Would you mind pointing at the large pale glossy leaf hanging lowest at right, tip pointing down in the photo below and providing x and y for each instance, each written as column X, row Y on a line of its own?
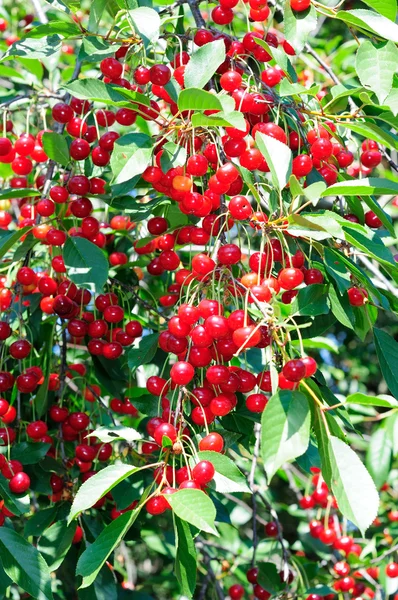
column 351, row 483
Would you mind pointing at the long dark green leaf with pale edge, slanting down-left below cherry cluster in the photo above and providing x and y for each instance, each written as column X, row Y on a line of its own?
column 95, row 555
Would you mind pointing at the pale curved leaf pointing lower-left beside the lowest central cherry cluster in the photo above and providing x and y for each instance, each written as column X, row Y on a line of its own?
column 97, row 486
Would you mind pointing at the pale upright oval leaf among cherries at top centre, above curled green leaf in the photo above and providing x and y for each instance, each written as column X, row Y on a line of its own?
column 203, row 64
